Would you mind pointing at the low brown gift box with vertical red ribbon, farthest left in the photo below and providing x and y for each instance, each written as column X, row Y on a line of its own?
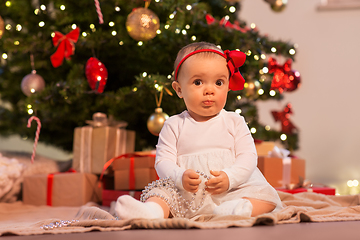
column 61, row 189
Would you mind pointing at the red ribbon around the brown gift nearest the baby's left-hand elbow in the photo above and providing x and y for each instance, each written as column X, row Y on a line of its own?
column 132, row 157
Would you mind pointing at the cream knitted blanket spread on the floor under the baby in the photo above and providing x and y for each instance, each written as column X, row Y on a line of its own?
column 19, row 219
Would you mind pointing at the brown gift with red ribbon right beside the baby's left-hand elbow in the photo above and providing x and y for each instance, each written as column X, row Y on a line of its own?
column 134, row 171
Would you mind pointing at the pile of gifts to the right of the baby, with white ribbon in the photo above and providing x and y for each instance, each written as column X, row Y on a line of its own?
column 283, row 172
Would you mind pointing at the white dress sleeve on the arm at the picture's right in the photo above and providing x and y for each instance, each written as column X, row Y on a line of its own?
column 245, row 155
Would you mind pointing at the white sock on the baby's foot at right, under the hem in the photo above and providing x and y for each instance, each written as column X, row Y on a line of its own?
column 240, row 207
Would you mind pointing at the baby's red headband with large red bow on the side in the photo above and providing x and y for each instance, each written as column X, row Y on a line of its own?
column 234, row 59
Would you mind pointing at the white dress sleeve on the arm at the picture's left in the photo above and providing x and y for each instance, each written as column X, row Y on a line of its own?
column 166, row 154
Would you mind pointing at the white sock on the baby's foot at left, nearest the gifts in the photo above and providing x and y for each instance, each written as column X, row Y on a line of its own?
column 128, row 207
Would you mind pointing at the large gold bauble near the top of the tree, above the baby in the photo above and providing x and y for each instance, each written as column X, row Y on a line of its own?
column 142, row 24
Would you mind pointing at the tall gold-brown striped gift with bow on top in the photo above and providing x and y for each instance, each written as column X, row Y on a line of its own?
column 97, row 143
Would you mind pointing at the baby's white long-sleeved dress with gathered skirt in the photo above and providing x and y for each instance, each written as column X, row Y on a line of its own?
column 223, row 143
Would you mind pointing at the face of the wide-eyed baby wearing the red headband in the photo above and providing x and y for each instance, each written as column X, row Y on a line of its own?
column 203, row 83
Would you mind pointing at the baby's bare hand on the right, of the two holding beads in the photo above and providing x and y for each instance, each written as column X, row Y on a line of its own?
column 219, row 183
